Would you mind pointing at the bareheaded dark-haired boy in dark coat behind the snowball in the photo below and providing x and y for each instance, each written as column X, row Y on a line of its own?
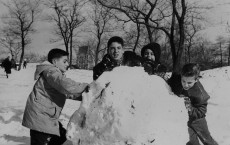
column 115, row 57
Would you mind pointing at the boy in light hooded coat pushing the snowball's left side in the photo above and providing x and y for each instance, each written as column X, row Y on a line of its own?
column 47, row 99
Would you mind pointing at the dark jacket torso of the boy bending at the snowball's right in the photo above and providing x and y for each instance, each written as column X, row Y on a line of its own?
column 199, row 100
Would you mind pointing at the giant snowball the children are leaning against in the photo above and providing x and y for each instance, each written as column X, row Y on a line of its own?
column 134, row 109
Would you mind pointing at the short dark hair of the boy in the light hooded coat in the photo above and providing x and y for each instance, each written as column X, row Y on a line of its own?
column 56, row 53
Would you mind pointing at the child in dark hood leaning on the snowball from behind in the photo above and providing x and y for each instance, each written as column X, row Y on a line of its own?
column 151, row 59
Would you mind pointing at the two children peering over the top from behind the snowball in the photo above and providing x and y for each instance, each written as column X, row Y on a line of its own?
column 116, row 56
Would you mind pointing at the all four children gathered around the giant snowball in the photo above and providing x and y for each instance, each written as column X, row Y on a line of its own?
column 52, row 88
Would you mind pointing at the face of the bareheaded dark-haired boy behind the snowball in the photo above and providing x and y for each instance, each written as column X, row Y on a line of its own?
column 115, row 50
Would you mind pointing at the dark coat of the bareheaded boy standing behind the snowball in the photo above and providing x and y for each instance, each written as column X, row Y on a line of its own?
column 107, row 63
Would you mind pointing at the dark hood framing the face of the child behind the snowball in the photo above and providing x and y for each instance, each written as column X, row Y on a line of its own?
column 155, row 47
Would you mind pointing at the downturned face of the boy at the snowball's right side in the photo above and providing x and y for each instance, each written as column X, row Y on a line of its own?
column 188, row 82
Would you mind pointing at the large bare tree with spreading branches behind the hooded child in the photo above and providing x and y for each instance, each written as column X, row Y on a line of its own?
column 168, row 16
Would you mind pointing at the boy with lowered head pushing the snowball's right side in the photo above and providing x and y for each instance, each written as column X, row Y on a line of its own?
column 196, row 101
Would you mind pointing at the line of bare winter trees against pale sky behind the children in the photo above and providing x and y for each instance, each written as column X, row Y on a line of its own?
column 83, row 27
